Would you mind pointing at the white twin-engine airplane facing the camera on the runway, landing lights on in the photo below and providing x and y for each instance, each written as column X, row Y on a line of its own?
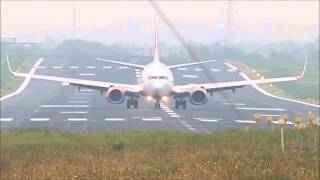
column 157, row 83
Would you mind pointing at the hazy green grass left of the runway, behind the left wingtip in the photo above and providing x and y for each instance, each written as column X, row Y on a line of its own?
column 9, row 83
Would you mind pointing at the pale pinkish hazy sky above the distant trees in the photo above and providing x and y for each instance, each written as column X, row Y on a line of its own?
column 275, row 20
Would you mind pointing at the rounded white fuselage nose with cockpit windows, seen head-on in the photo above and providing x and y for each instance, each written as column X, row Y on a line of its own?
column 157, row 80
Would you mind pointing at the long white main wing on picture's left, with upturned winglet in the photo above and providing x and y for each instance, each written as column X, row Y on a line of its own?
column 77, row 82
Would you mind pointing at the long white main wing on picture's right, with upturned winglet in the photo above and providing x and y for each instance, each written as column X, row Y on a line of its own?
column 211, row 87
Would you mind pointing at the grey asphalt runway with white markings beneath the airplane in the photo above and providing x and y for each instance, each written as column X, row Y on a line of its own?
column 51, row 105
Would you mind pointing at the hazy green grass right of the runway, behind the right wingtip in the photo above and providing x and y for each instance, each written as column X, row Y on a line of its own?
column 307, row 88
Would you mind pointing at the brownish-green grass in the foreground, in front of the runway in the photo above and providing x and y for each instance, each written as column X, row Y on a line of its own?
column 232, row 154
